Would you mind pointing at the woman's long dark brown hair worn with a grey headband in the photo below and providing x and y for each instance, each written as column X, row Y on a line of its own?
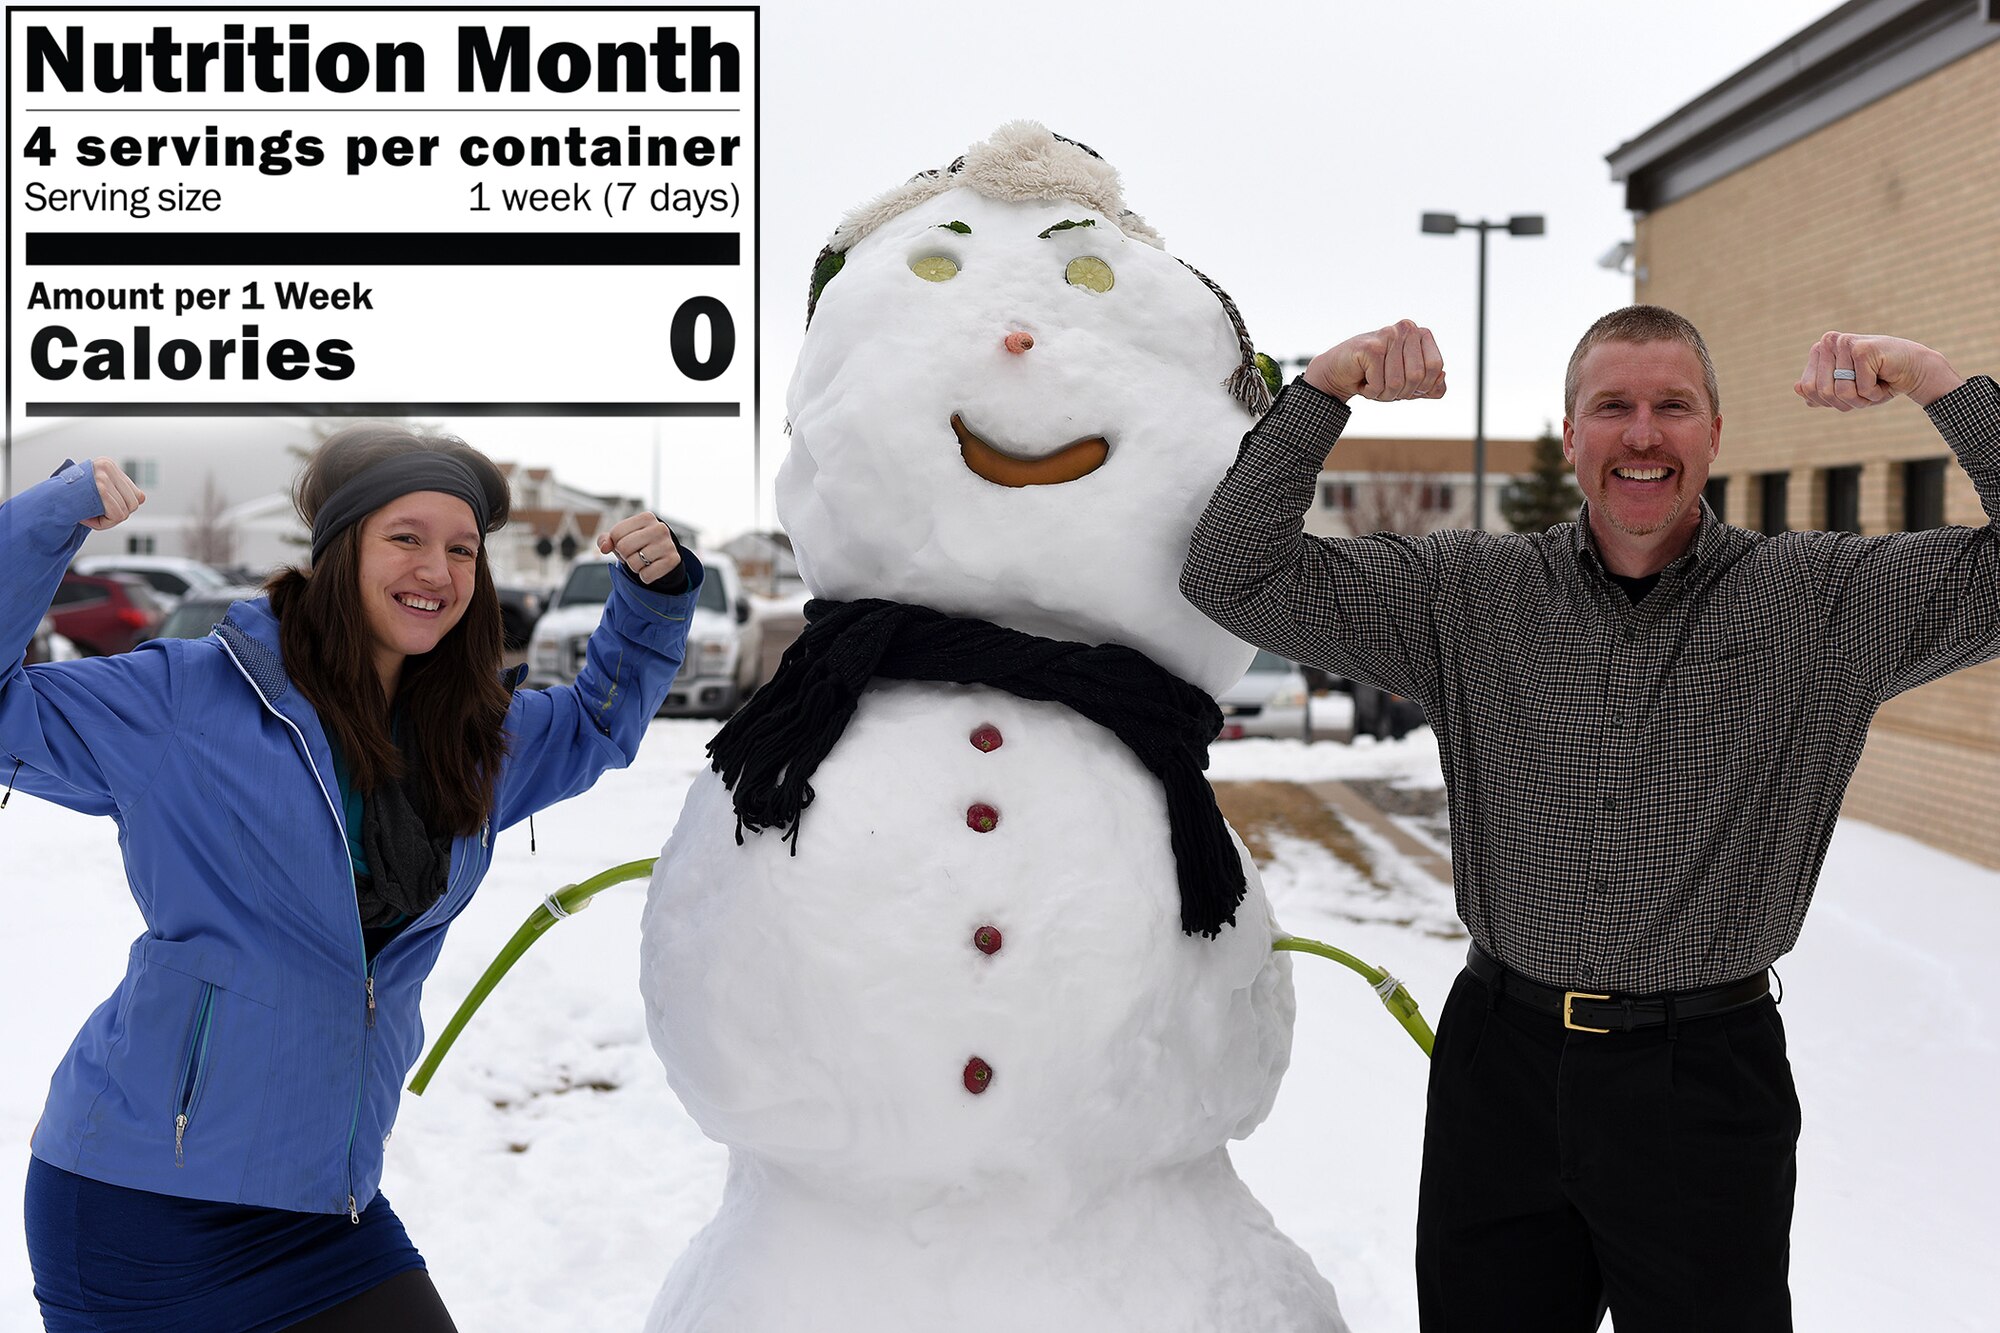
column 451, row 700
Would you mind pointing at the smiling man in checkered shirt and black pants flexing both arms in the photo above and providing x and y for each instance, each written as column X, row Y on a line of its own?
column 1647, row 722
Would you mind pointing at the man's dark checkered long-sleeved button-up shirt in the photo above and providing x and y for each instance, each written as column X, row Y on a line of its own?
column 1641, row 794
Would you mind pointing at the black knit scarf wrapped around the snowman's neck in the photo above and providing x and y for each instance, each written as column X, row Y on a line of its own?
column 769, row 752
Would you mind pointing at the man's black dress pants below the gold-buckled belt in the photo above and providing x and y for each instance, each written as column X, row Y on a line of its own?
column 1567, row 1170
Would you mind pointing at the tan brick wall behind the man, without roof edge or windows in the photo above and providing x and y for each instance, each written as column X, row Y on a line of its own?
column 1887, row 221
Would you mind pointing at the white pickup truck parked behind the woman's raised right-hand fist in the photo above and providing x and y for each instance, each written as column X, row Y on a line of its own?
column 725, row 641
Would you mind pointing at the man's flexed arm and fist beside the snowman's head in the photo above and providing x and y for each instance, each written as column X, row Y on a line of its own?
column 1355, row 605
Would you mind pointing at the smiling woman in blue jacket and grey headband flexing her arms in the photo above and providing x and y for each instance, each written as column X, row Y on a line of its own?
column 307, row 800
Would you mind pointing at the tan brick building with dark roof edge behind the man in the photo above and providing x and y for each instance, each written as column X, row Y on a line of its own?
column 1847, row 179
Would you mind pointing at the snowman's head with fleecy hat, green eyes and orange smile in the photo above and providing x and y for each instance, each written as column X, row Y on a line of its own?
column 1013, row 405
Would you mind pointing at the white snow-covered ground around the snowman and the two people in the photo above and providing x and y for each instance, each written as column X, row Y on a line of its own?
column 551, row 1178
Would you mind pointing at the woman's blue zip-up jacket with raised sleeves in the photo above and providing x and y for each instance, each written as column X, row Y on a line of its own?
column 251, row 1054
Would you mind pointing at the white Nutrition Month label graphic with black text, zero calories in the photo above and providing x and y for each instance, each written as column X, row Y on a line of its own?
column 383, row 213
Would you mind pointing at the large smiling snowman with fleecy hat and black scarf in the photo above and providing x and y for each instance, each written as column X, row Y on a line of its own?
column 939, row 952
